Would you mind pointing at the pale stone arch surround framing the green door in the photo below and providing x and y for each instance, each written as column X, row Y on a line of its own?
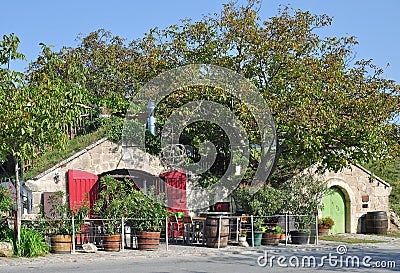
column 349, row 203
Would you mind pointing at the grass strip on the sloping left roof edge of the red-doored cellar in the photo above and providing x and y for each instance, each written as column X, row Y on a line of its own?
column 51, row 158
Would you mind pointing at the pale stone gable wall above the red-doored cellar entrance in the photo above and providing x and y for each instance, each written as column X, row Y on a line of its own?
column 98, row 158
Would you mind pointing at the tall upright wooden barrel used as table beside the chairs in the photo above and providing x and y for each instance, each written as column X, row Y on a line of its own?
column 212, row 231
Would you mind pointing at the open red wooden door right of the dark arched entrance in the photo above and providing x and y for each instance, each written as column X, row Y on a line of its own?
column 175, row 190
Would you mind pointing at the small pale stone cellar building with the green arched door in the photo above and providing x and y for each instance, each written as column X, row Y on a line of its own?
column 354, row 192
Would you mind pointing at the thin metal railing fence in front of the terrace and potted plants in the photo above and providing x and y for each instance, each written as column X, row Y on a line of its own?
column 92, row 230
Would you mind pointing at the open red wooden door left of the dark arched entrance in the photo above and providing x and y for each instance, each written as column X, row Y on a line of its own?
column 82, row 186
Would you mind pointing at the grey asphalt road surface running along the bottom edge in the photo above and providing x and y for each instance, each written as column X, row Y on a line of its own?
column 250, row 261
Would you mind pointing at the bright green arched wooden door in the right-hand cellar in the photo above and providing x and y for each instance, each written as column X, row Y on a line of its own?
column 334, row 206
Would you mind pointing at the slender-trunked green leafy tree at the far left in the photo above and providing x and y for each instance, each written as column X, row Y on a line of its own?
column 35, row 112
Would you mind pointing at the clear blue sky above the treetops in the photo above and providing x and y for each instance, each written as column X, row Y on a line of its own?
column 374, row 23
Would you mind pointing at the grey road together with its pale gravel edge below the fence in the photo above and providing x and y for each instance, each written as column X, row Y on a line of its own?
column 326, row 257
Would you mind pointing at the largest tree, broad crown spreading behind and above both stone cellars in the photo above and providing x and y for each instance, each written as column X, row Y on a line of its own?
column 328, row 108
